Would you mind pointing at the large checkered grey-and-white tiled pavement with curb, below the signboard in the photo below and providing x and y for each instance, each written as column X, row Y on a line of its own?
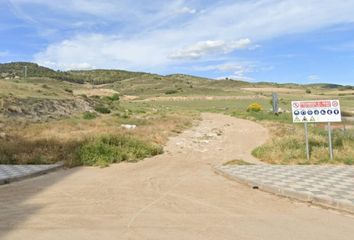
column 331, row 186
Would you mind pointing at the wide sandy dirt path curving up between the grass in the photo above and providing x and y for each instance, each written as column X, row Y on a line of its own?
column 172, row 196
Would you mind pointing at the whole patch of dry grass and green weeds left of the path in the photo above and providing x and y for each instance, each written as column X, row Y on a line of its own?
column 70, row 140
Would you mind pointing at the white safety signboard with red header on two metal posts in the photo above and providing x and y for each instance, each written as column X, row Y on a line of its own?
column 317, row 111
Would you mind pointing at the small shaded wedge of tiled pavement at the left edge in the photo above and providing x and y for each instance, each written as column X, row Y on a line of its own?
column 10, row 173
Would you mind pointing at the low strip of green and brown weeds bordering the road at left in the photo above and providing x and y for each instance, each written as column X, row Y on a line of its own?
column 95, row 151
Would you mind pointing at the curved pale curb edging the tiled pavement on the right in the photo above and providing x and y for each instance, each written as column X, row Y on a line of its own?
column 320, row 200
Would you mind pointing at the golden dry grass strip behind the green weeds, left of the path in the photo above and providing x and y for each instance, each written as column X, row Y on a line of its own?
column 153, row 127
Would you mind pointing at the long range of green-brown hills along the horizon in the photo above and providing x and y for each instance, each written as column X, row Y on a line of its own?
column 146, row 80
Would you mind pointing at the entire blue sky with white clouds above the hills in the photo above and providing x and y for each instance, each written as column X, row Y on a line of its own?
column 299, row 41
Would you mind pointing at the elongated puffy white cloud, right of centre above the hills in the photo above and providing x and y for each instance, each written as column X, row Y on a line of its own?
column 209, row 47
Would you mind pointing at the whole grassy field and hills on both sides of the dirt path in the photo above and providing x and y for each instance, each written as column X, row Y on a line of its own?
column 78, row 116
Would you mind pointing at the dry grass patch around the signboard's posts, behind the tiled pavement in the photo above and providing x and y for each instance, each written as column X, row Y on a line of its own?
column 287, row 145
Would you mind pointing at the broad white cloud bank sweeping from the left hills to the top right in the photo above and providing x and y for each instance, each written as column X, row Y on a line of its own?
column 152, row 34
